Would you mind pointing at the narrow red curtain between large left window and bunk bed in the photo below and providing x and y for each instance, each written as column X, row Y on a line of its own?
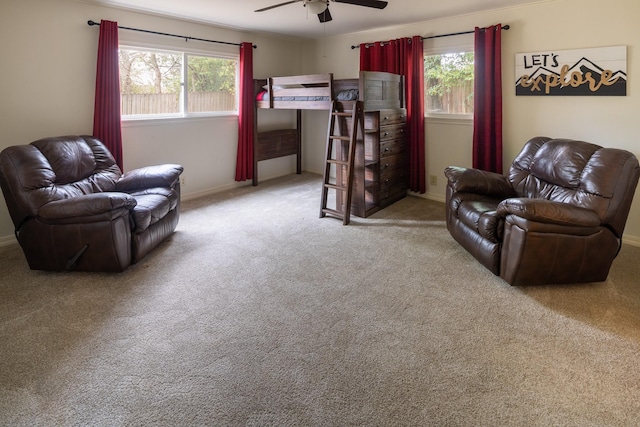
column 244, row 159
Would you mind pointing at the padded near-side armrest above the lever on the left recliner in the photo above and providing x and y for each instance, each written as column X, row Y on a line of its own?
column 88, row 205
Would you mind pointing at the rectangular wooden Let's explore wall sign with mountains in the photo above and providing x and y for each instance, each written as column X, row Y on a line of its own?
column 578, row 72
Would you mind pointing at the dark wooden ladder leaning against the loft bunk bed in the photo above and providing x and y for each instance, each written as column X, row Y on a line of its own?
column 342, row 137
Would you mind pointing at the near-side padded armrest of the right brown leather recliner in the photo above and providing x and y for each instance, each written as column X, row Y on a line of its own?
column 550, row 212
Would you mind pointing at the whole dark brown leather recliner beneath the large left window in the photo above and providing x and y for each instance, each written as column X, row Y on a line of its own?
column 73, row 208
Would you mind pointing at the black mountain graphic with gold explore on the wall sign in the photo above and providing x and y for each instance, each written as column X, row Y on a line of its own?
column 590, row 75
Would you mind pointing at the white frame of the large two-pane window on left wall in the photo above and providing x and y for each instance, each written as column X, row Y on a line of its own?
column 183, row 102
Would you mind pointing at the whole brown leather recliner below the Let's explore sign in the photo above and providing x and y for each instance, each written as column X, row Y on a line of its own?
column 556, row 217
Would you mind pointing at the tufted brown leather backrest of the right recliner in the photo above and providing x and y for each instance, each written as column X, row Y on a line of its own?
column 578, row 173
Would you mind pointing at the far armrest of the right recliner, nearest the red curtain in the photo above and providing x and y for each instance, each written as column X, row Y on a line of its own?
column 477, row 181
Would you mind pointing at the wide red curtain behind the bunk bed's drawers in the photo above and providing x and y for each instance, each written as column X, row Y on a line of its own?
column 406, row 57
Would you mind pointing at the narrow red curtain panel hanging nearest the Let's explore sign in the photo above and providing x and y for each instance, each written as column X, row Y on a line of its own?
column 487, row 92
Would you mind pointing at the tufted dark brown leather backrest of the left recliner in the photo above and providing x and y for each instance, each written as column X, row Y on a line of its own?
column 52, row 169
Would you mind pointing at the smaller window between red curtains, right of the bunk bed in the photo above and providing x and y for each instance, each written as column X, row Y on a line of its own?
column 448, row 84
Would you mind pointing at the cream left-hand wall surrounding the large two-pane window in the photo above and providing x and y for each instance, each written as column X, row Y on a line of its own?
column 48, row 78
